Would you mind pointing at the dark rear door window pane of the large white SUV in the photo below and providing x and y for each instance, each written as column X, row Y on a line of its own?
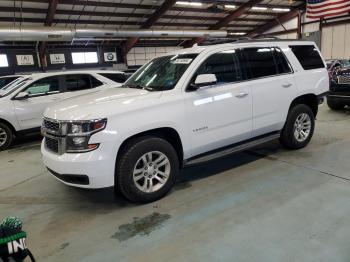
column 261, row 61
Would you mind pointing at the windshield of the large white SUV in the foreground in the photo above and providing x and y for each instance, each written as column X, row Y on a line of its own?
column 161, row 73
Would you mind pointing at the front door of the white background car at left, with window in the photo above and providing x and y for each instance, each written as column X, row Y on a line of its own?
column 41, row 93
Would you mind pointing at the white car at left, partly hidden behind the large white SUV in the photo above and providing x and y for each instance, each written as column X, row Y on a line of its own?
column 22, row 103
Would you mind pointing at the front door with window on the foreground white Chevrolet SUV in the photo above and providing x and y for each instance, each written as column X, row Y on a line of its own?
column 221, row 114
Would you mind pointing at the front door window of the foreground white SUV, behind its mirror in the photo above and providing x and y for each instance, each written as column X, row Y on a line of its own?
column 224, row 65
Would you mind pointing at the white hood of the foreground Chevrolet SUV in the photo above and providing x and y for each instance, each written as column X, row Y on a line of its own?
column 100, row 104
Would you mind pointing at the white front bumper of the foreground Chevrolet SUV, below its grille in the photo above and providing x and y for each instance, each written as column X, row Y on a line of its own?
column 93, row 169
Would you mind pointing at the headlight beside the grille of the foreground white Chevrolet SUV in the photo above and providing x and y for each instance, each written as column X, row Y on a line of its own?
column 79, row 133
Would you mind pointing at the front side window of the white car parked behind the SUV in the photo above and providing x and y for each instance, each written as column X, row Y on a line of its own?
column 43, row 86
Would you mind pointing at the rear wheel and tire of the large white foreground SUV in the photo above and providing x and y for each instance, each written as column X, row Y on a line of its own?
column 299, row 127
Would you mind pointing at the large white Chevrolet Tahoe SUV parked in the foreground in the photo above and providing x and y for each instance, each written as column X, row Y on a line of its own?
column 184, row 108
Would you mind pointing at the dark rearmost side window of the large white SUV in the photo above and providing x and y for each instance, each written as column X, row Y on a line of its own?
column 308, row 56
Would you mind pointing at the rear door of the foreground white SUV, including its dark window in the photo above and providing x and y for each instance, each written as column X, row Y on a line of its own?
column 273, row 87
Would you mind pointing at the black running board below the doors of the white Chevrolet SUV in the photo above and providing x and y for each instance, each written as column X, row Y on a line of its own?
column 230, row 150
